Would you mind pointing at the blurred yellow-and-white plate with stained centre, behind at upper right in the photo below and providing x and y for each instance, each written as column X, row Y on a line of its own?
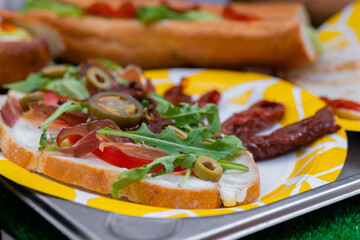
column 337, row 73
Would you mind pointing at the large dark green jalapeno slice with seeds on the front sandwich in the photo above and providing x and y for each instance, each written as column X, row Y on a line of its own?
column 121, row 108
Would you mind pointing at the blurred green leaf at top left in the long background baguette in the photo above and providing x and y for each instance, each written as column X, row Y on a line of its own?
column 60, row 8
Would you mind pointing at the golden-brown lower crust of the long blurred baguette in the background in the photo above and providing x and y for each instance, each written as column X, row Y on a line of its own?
column 228, row 44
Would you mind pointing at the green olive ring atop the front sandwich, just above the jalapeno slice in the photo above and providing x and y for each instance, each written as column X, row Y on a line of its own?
column 98, row 79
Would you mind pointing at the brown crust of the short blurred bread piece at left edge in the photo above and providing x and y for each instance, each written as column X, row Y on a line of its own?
column 19, row 58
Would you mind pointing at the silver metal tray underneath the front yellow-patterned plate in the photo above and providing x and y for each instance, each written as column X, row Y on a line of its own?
column 81, row 222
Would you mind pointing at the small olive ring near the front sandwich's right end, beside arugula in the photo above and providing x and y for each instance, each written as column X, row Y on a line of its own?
column 207, row 169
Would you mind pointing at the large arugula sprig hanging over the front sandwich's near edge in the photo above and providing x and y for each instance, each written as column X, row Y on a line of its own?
column 182, row 152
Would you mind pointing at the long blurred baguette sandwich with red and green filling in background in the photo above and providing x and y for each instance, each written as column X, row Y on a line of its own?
column 158, row 34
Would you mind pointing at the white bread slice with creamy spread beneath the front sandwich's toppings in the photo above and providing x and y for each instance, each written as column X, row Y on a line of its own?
column 20, row 143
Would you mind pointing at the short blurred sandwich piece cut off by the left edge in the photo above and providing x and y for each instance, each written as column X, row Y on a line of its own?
column 24, row 46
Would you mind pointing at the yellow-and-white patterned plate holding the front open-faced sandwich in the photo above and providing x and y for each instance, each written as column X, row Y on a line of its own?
column 308, row 167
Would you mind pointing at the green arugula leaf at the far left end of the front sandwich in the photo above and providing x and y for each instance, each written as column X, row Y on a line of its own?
column 33, row 82
